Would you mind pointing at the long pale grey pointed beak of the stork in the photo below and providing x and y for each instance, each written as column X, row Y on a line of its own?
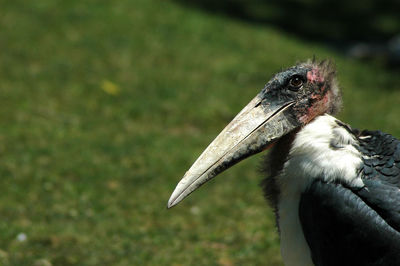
column 259, row 124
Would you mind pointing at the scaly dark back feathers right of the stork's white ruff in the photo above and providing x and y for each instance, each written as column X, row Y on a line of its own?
column 381, row 175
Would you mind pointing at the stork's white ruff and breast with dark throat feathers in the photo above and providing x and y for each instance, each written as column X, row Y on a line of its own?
column 323, row 149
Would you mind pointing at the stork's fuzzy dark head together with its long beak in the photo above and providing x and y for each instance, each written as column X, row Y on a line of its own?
column 291, row 99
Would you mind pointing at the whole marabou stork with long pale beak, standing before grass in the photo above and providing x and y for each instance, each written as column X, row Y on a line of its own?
column 335, row 190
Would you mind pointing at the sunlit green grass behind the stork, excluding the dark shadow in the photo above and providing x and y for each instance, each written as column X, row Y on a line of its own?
column 105, row 104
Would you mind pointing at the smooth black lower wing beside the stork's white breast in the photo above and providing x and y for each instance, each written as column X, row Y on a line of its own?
column 341, row 229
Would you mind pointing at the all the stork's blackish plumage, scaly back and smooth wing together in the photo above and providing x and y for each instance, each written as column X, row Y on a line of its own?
column 352, row 226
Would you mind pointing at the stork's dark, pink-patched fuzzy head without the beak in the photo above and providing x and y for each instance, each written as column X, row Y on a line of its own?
column 310, row 87
